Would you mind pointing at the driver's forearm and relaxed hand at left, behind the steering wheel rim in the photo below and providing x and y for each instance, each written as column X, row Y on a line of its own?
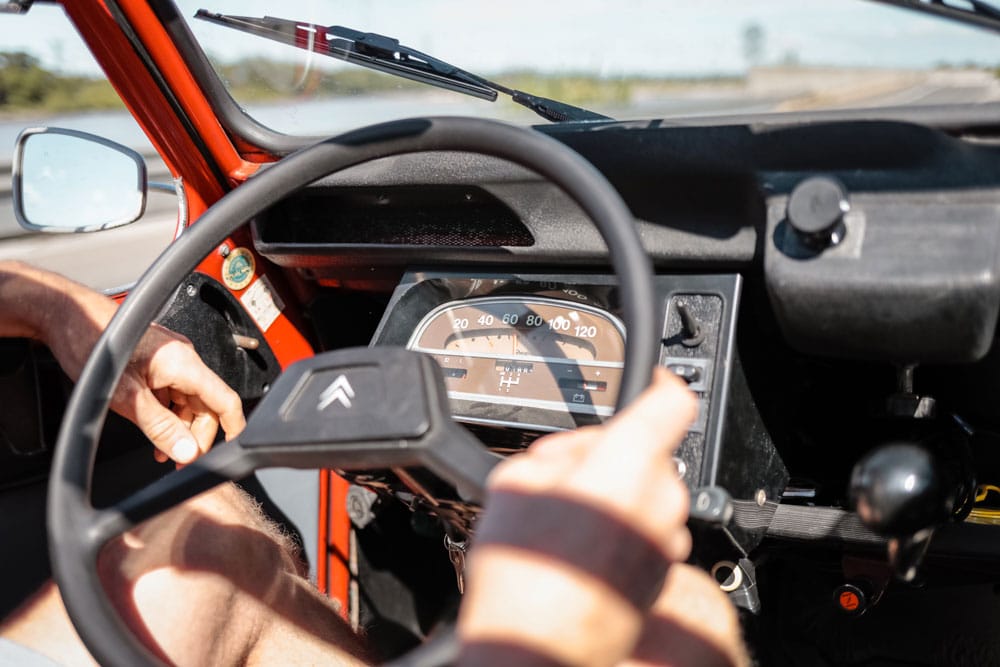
column 167, row 391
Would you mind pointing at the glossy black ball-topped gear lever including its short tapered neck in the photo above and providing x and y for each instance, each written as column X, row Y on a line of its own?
column 902, row 491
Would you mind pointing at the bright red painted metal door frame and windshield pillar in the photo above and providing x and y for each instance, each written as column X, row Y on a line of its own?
column 186, row 160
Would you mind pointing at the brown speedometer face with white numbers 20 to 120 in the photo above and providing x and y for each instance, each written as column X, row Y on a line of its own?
column 505, row 358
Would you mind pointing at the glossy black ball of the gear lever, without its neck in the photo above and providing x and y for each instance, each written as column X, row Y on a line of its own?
column 899, row 489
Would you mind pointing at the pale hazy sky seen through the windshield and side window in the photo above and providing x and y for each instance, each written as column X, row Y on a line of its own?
column 610, row 38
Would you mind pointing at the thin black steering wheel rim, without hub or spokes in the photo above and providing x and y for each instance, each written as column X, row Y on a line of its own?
column 75, row 539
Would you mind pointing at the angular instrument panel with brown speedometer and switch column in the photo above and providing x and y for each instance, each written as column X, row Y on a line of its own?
column 527, row 354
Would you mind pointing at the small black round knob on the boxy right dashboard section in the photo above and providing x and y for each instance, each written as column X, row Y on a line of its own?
column 816, row 211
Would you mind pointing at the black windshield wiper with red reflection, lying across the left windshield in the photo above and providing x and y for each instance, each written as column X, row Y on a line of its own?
column 386, row 54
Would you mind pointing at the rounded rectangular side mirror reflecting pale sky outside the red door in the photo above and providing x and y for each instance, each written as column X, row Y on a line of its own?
column 70, row 181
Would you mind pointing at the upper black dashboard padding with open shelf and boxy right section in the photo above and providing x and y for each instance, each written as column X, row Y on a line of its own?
column 922, row 222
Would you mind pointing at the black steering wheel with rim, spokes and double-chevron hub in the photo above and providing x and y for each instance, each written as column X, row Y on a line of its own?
column 418, row 432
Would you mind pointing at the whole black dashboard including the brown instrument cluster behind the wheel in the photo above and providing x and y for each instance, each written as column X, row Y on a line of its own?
column 806, row 346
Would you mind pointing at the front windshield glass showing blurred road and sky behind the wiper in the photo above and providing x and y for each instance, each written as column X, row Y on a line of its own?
column 633, row 60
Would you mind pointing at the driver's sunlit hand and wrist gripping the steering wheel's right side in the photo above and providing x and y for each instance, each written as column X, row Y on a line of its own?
column 575, row 542
